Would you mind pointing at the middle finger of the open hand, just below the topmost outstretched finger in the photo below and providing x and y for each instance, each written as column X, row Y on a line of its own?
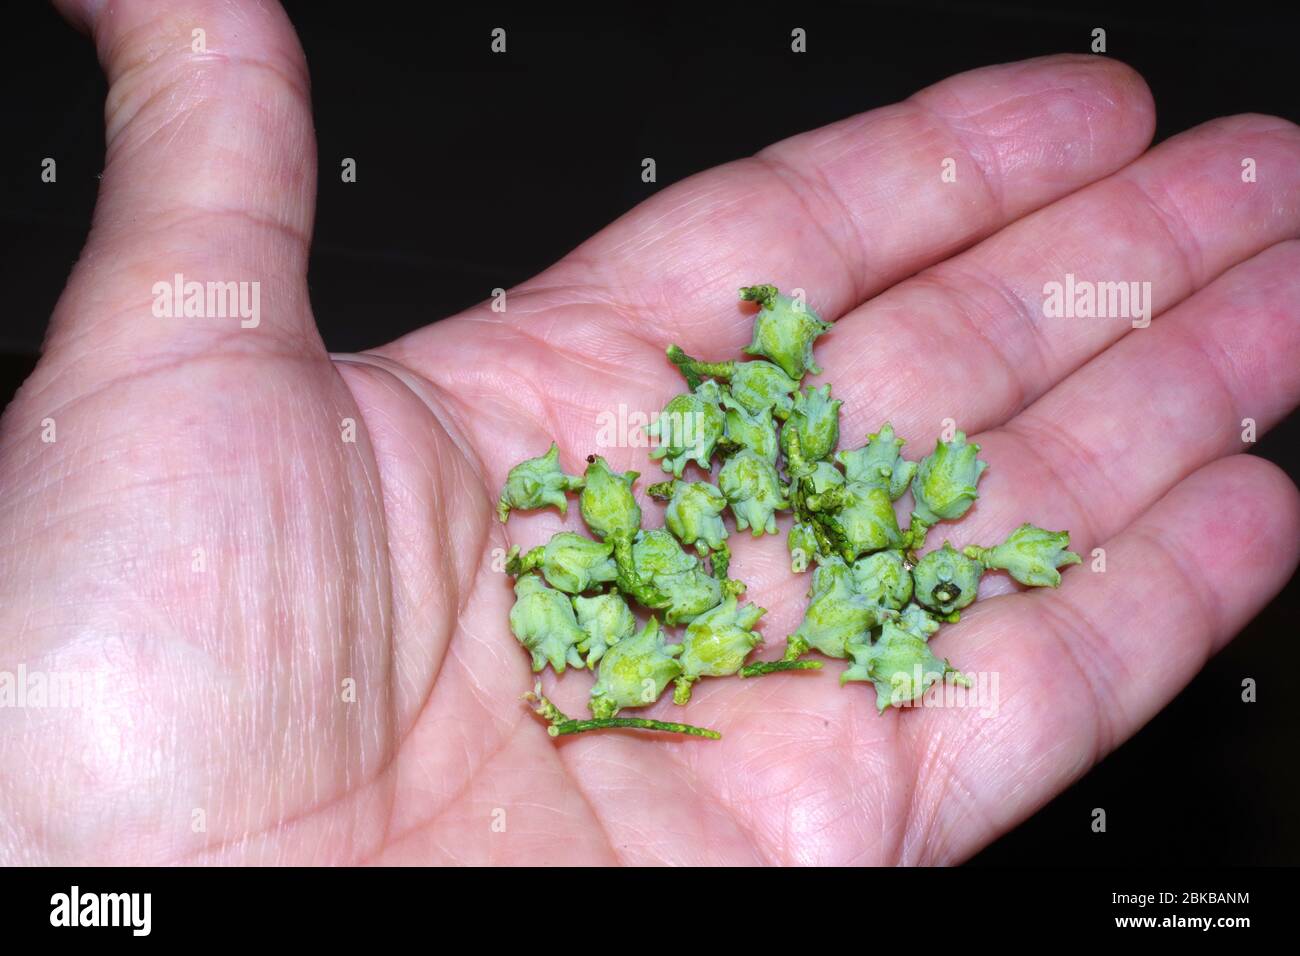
column 968, row 340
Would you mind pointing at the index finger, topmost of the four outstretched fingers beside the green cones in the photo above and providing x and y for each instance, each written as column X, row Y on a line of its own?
column 853, row 207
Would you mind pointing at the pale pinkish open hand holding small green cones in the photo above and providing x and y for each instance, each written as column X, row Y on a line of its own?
column 304, row 641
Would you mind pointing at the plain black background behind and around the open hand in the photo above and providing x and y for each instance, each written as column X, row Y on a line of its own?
column 476, row 171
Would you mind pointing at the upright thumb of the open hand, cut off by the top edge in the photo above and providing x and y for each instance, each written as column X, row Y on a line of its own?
column 210, row 174
